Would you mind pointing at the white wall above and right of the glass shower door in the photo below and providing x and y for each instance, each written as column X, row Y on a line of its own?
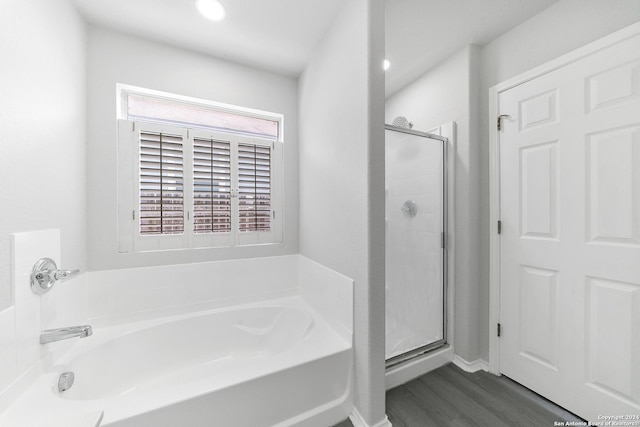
column 444, row 94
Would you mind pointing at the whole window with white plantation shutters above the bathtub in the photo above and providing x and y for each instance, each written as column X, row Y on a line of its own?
column 206, row 182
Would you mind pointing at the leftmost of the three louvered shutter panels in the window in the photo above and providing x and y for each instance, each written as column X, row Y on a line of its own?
column 161, row 175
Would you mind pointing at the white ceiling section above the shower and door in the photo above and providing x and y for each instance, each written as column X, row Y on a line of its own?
column 422, row 33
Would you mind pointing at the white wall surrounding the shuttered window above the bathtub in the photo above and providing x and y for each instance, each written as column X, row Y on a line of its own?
column 116, row 58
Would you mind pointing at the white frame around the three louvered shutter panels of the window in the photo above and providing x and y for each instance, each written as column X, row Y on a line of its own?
column 129, row 237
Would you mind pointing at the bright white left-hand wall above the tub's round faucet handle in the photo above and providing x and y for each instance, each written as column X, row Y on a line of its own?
column 42, row 127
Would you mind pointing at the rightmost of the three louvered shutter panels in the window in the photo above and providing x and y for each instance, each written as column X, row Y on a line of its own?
column 254, row 188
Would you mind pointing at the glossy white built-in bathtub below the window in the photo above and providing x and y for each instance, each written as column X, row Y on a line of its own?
column 271, row 363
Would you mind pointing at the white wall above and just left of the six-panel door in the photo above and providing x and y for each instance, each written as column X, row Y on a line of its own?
column 563, row 27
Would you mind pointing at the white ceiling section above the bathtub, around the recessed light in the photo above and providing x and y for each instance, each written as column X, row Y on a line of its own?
column 276, row 35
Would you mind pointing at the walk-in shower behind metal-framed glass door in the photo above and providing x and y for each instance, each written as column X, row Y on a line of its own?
column 416, row 223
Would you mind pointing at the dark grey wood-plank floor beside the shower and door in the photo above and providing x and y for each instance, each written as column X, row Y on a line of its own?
column 451, row 397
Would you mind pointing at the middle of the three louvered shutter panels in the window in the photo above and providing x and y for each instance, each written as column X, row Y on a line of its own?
column 211, row 186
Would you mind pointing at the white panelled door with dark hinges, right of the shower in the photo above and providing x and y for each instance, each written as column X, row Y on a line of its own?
column 570, row 242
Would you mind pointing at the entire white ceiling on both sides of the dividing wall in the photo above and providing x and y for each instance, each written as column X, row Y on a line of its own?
column 281, row 35
